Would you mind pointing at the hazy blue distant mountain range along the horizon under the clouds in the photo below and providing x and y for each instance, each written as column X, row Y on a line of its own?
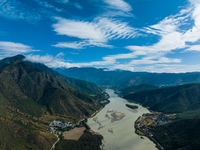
column 121, row 79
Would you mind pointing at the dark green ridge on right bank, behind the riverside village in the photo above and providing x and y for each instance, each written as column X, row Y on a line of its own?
column 175, row 99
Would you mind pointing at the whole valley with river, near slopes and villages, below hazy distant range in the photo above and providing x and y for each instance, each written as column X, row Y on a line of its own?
column 39, row 108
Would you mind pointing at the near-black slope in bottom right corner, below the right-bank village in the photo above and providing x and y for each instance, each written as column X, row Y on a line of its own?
column 179, row 135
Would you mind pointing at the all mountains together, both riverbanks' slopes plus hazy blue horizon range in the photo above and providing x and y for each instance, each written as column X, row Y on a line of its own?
column 32, row 95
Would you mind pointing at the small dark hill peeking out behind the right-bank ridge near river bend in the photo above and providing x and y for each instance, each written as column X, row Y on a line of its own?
column 137, row 88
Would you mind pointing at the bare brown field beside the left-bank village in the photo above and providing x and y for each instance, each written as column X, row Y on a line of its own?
column 74, row 134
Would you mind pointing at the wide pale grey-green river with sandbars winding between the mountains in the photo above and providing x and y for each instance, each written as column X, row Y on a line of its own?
column 115, row 122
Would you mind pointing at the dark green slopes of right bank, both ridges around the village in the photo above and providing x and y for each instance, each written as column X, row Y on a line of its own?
column 183, row 132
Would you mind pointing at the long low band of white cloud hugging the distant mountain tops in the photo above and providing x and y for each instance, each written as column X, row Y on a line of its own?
column 57, row 62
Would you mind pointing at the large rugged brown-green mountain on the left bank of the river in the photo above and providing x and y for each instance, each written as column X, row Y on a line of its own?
column 31, row 97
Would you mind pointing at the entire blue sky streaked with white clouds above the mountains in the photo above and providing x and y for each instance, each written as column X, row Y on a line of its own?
column 136, row 35
